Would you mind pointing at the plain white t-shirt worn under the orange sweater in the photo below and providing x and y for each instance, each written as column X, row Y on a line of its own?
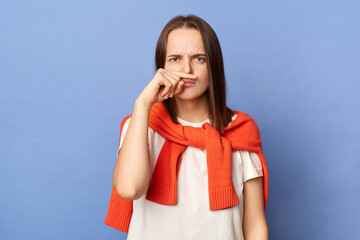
column 191, row 218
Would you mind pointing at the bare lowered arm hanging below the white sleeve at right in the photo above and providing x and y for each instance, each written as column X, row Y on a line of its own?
column 254, row 222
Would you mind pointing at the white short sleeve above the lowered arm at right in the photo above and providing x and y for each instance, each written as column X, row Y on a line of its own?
column 252, row 166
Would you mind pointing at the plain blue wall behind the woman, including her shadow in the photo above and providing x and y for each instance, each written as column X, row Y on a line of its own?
column 71, row 70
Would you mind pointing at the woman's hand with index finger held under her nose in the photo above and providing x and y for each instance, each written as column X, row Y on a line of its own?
column 164, row 84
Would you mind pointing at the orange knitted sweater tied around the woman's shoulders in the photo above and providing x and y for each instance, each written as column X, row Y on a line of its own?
column 241, row 134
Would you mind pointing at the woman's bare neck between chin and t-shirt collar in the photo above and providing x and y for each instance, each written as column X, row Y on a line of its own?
column 195, row 110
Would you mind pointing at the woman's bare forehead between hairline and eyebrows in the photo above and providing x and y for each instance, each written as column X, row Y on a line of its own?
column 184, row 40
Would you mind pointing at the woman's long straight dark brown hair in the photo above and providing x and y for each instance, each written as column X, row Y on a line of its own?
column 220, row 114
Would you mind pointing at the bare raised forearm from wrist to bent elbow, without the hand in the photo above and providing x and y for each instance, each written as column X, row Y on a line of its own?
column 132, row 170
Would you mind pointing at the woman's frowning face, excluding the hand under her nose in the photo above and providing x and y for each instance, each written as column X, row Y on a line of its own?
column 185, row 53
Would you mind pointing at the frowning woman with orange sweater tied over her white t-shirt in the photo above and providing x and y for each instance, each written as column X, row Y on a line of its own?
column 188, row 166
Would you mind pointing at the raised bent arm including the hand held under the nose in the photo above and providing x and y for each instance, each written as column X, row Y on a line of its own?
column 132, row 171
